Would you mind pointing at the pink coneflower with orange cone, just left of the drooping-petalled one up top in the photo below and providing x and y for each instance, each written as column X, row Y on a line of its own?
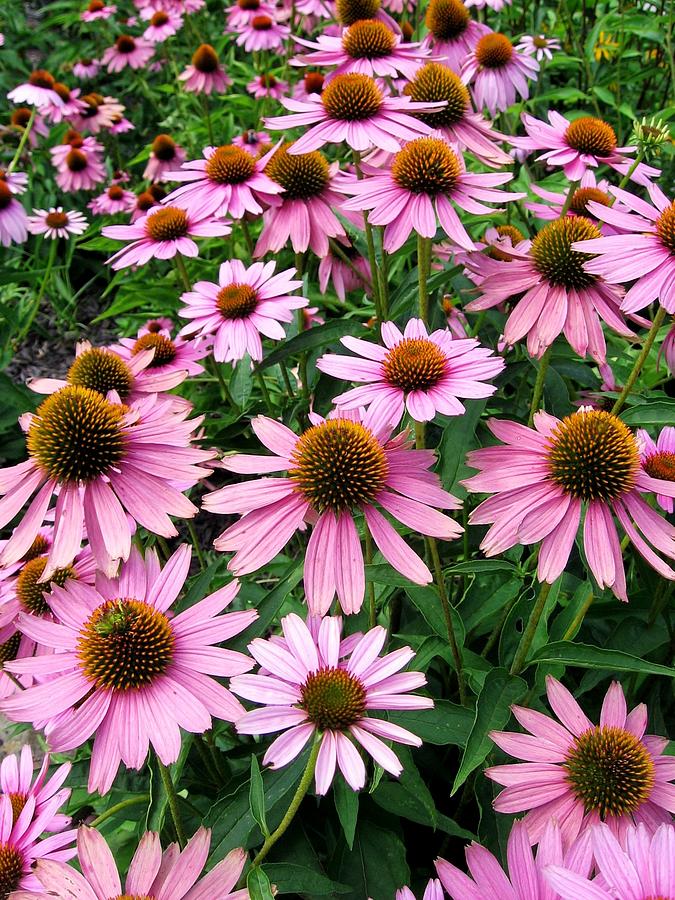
column 228, row 181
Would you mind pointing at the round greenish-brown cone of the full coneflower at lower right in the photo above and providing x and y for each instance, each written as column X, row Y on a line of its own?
column 610, row 771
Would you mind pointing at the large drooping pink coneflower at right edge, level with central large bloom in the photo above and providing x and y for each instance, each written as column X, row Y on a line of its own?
column 550, row 478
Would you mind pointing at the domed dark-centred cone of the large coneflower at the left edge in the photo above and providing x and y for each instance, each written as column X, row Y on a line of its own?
column 76, row 435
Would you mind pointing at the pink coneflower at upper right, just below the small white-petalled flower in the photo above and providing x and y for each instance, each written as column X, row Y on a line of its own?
column 585, row 143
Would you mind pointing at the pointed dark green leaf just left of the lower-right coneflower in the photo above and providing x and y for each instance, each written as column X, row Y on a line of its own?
column 493, row 710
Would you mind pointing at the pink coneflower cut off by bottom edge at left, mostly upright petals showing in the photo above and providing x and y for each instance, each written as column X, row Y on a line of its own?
column 172, row 875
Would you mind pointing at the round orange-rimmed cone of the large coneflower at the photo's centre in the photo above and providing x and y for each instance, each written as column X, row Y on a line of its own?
column 338, row 465
